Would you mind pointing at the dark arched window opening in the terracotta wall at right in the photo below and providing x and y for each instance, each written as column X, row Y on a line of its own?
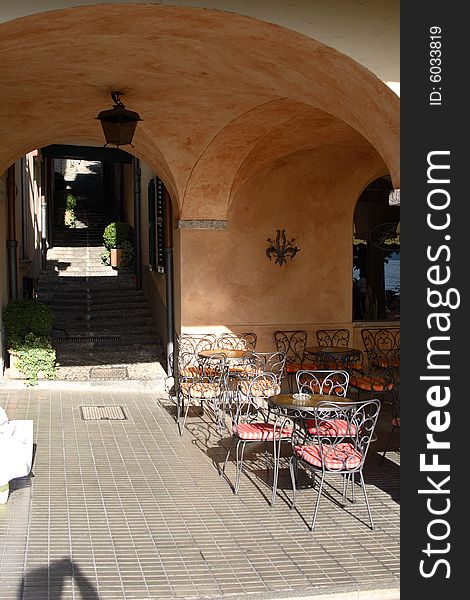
column 376, row 255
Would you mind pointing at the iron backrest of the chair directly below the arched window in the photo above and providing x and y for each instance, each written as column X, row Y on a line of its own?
column 382, row 346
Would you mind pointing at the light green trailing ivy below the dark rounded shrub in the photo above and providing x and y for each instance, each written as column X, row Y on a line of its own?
column 34, row 354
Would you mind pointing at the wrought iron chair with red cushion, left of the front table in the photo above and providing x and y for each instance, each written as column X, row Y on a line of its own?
column 250, row 422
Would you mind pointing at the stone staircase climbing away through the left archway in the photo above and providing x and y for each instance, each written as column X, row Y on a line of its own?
column 103, row 329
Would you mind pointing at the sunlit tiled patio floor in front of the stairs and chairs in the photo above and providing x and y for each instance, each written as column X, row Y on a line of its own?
column 131, row 510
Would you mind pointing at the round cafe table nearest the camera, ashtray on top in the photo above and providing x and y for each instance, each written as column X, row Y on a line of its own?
column 294, row 408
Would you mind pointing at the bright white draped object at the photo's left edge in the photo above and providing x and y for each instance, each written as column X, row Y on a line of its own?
column 16, row 448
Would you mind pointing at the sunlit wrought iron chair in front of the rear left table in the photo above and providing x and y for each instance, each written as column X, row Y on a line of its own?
column 202, row 381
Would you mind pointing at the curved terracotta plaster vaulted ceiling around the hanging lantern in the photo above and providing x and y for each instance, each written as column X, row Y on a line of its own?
column 205, row 82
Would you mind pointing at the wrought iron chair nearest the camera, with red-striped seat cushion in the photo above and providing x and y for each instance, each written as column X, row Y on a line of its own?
column 339, row 447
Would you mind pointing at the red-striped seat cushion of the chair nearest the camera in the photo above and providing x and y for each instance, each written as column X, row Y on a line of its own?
column 340, row 457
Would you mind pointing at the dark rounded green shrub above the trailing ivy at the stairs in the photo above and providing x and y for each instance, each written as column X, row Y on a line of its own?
column 22, row 317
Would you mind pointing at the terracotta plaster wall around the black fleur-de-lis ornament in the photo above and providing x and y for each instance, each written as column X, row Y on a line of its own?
column 228, row 282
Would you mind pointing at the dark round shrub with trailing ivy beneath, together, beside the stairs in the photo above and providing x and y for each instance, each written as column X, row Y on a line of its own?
column 28, row 325
